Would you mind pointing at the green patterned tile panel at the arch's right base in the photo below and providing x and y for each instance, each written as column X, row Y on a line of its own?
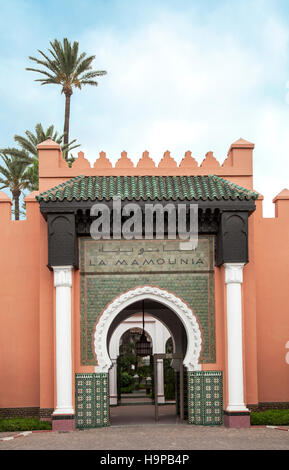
column 205, row 398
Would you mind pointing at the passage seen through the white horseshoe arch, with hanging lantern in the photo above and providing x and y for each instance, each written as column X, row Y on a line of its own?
column 142, row 343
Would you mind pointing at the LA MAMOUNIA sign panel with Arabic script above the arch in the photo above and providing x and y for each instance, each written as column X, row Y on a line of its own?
column 144, row 256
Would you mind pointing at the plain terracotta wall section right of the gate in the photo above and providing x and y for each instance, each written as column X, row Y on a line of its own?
column 272, row 288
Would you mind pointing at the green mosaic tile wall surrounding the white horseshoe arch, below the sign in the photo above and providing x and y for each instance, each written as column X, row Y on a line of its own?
column 194, row 288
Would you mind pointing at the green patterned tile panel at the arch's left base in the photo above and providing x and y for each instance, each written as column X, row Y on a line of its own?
column 91, row 400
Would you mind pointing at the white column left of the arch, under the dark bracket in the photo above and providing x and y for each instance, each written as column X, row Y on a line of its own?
column 63, row 283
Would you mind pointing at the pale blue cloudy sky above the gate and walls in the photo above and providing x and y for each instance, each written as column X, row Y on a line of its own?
column 182, row 75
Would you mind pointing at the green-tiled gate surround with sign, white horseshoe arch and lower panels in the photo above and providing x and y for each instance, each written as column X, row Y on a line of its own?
column 98, row 258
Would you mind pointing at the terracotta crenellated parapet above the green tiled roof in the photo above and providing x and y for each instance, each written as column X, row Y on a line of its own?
column 53, row 169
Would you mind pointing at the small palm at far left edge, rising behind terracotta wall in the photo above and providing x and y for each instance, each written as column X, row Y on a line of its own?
column 14, row 177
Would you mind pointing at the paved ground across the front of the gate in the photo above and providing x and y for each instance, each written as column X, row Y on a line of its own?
column 154, row 437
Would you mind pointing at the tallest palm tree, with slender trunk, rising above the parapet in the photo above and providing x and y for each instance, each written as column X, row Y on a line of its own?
column 66, row 67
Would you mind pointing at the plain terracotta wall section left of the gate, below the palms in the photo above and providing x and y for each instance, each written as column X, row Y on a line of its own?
column 19, row 307
